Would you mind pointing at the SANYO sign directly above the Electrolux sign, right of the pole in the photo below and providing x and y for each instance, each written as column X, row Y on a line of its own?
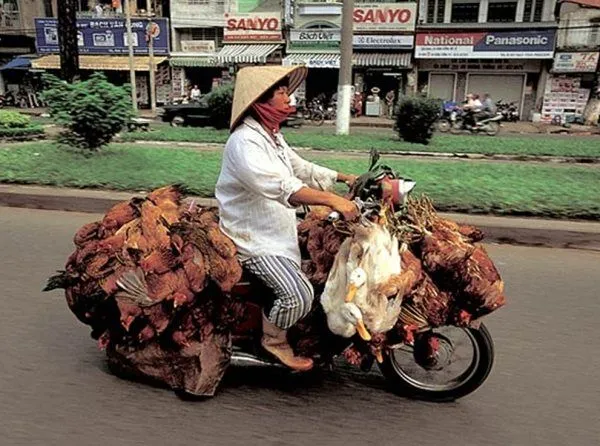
column 385, row 16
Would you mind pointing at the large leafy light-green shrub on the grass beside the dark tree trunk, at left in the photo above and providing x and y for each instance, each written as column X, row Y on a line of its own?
column 92, row 111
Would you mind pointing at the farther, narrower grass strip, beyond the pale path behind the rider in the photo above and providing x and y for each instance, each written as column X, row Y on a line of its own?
column 386, row 141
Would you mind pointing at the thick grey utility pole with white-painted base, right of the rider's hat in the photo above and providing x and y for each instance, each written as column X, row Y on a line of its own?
column 345, row 80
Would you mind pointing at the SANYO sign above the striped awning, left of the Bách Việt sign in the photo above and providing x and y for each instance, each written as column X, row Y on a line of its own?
column 252, row 27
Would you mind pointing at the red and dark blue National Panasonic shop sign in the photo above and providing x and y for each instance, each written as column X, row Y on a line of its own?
column 526, row 44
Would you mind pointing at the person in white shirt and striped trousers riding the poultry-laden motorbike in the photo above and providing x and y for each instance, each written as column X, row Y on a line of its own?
column 262, row 181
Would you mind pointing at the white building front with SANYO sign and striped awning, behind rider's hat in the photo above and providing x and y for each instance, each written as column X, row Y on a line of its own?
column 214, row 38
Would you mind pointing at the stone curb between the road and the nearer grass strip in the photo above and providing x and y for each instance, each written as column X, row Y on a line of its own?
column 504, row 230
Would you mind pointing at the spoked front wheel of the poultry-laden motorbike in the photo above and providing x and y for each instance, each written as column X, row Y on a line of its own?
column 462, row 362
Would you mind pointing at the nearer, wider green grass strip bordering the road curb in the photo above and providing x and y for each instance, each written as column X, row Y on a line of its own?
column 498, row 188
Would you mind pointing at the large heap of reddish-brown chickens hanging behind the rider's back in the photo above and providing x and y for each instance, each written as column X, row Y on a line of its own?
column 152, row 280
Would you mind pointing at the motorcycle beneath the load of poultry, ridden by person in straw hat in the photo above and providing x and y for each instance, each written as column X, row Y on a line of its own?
column 458, row 364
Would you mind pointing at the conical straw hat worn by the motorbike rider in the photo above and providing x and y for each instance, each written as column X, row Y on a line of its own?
column 252, row 82
